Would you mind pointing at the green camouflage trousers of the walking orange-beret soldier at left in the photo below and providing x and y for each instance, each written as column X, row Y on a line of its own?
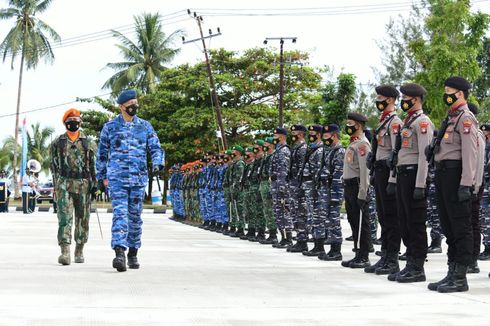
column 69, row 204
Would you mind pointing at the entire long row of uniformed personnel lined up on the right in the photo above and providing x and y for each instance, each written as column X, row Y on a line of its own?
column 272, row 186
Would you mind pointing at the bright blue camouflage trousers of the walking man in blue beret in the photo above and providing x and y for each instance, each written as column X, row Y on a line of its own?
column 127, row 204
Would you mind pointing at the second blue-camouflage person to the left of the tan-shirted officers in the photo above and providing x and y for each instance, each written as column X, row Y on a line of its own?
column 309, row 171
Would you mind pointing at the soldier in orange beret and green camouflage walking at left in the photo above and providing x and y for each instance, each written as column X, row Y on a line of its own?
column 73, row 169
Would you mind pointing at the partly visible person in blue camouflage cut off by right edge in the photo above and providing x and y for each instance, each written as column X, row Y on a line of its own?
column 485, row 201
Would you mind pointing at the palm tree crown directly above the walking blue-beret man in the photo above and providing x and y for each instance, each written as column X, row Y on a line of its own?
column 145, row 59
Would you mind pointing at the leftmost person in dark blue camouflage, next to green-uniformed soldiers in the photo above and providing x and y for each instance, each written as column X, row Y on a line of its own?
column 278, row 173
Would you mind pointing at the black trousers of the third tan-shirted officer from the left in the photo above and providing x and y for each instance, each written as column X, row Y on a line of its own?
column 412, row 214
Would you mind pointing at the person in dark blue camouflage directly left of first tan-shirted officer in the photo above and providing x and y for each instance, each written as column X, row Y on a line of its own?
column 331, row 194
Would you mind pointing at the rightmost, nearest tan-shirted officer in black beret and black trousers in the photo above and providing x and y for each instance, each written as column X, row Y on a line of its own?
column 455, row 175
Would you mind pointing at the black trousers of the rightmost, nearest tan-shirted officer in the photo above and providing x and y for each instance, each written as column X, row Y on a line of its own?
column 455, row 216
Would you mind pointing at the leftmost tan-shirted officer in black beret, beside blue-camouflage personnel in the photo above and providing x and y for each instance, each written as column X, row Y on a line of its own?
column 356, row 184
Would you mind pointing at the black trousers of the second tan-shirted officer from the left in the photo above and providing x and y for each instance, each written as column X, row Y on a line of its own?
column 387, row 212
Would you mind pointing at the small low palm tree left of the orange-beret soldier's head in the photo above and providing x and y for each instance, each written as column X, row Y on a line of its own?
column 38, row 145
